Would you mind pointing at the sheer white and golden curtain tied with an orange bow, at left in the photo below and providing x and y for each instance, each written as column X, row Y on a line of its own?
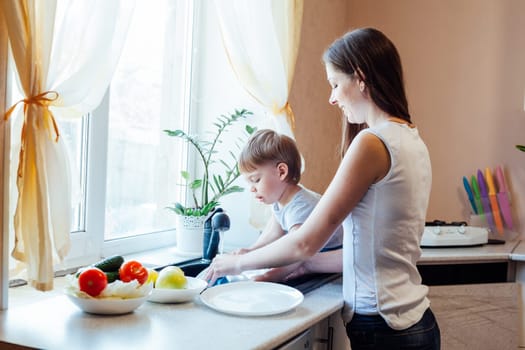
column 65, row 53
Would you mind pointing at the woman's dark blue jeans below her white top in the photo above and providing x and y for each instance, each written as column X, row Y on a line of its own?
column 372, row 332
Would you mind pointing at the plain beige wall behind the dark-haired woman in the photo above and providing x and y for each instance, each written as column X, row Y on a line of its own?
column 464, row 64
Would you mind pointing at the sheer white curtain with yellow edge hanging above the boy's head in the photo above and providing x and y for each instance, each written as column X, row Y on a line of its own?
column 261, row 38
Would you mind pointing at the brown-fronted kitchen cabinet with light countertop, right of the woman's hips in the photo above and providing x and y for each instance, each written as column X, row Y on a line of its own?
column 474, row 295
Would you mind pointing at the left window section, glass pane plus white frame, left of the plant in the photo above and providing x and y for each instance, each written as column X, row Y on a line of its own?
column 123, row 165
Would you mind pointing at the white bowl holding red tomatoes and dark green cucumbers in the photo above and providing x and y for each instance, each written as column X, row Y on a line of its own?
column 110, row 287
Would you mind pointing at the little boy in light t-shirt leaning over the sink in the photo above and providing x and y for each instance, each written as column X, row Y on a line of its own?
column 271, row 164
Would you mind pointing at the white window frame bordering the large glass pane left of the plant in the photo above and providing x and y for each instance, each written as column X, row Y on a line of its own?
column 89, row 244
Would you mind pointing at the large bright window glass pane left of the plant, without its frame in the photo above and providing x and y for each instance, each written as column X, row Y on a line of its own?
column 146, row 96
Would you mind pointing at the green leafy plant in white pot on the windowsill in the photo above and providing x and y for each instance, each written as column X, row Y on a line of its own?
column 219, row 172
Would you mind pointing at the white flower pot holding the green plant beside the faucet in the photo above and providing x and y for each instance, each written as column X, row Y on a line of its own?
column 190, row 234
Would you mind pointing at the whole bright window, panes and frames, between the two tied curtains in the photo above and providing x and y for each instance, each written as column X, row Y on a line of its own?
column 125, row 169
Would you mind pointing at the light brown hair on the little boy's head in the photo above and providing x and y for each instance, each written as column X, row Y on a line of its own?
column 267, row 146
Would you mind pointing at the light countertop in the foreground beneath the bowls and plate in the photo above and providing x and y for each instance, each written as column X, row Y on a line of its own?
column 56, row 323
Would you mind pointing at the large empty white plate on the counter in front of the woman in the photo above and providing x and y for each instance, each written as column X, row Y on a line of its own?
column 252, row 298
